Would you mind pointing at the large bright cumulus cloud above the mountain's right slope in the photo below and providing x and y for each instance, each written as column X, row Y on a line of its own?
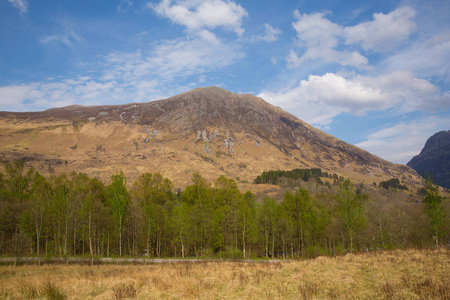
column 320, row 99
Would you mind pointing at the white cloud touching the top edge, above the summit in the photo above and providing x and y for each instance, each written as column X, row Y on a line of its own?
column 200, row 15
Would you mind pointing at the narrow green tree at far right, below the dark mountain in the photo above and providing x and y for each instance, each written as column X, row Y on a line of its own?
column 435, row 210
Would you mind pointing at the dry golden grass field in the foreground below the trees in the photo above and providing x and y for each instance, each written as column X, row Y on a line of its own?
column 408, row 274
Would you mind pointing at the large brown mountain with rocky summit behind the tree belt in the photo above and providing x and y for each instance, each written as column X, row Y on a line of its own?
column 210, row 130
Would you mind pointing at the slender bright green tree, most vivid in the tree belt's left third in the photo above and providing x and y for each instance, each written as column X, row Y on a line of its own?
column 118, row 200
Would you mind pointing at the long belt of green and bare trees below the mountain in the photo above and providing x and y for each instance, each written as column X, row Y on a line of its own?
column 75, row 215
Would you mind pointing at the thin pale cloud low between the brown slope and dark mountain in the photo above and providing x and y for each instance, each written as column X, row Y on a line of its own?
column 401, row 142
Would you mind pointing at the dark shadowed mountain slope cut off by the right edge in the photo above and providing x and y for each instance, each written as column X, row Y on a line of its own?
column 434, row 159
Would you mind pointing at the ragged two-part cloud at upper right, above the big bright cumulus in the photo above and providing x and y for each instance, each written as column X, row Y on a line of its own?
column 320, row 39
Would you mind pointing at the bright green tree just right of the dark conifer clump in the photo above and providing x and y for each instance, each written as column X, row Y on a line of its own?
column 350, row 210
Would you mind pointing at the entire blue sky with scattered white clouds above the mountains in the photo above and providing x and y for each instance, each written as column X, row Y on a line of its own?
column 375, row 74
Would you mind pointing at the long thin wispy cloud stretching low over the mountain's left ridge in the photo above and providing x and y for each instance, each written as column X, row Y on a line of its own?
column 126, row 77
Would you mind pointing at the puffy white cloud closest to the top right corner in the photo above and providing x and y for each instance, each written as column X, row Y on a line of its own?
column 384, row 32
